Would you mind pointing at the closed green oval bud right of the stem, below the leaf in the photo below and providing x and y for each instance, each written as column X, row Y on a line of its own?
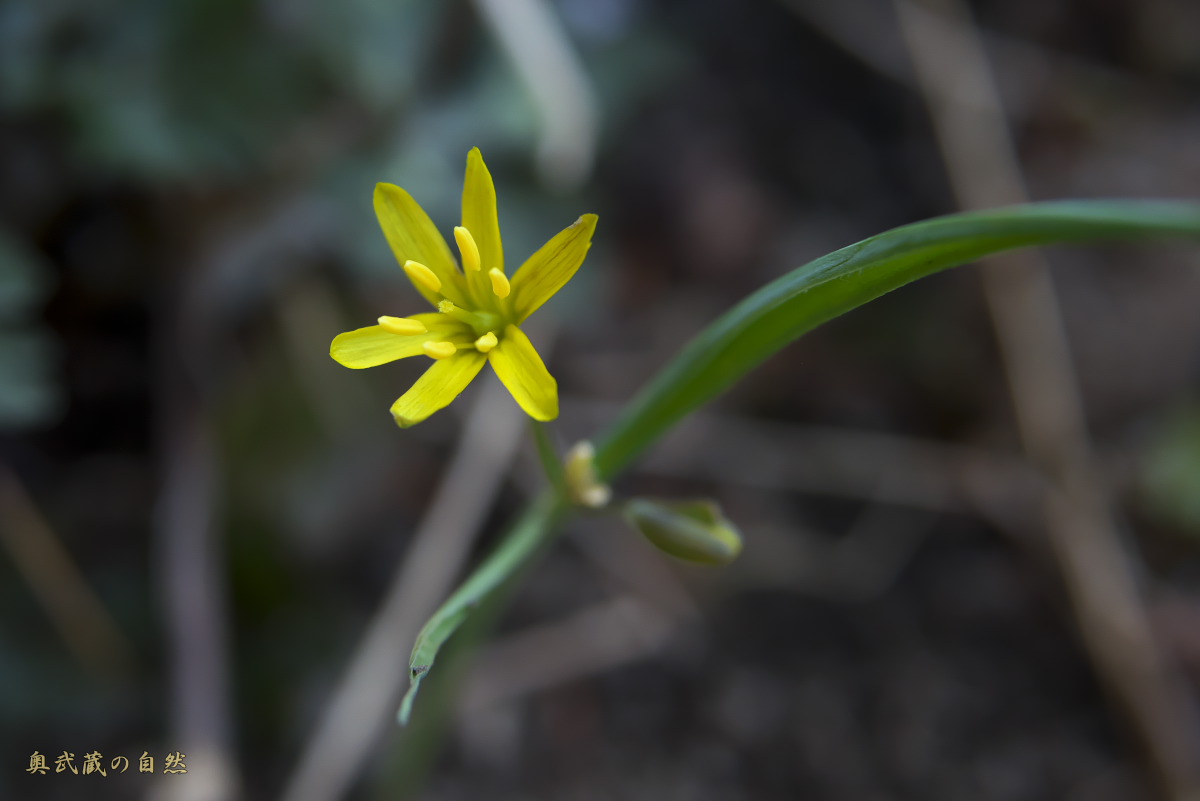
column 695, row 531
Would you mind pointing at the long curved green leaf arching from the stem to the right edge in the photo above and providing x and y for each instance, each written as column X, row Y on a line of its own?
column 800, row 302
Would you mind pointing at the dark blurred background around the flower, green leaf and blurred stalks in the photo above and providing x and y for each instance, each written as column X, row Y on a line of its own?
column 185, row 222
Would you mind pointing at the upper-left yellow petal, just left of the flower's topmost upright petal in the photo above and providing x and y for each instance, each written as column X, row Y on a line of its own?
column 413, row 238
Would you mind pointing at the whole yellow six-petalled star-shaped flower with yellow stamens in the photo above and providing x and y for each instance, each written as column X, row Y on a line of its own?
column 479, row 309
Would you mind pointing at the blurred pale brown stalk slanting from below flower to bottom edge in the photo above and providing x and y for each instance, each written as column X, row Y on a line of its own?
column 367, row 698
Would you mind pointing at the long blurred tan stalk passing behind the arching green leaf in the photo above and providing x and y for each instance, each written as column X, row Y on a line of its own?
column 955, row 75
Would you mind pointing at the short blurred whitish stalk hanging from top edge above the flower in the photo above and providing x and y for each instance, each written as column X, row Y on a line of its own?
column 535, row 40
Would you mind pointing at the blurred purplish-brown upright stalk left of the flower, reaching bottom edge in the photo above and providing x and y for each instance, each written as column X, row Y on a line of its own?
column 189, row 336
